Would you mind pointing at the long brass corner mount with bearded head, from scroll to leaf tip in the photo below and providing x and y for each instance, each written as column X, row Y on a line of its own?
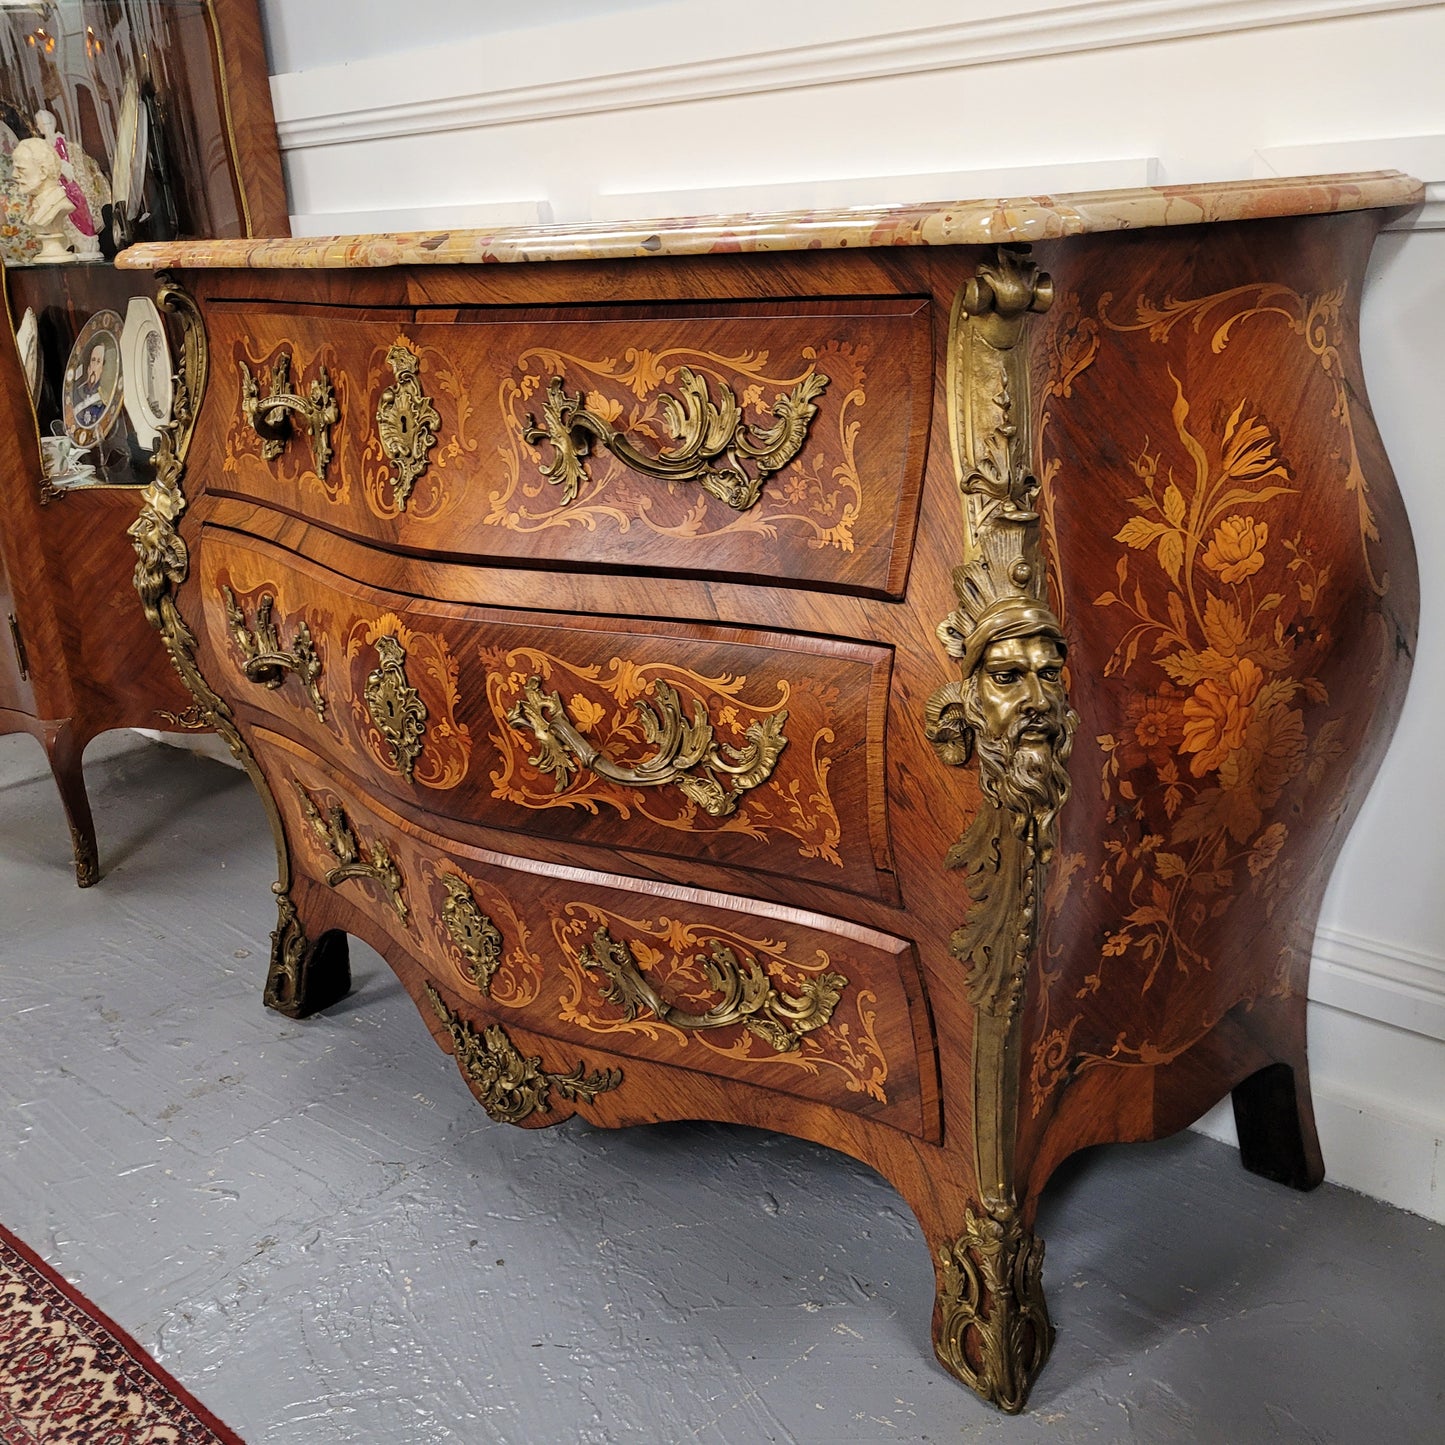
column 1009, row 707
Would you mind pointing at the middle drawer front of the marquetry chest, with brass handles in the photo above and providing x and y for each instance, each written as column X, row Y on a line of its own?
column 738, row 748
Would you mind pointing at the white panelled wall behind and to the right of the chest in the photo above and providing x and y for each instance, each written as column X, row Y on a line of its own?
column 652, row 109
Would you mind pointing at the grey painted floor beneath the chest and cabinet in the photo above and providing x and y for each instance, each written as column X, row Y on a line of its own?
column 320, row 1233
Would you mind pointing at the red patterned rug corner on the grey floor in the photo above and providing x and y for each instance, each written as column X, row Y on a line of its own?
column 70, row 1376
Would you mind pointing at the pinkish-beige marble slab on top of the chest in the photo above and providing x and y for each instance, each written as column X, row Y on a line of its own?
column 959, row 223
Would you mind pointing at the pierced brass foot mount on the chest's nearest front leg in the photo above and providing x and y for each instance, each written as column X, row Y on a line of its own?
column 992, row 1323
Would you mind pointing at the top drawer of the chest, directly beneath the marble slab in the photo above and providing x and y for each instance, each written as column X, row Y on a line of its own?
column 781, row 441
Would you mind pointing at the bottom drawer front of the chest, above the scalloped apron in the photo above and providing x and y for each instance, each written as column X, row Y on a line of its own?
column 780, row 999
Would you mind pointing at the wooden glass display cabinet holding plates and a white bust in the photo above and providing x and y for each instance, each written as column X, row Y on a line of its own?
column 121, row 121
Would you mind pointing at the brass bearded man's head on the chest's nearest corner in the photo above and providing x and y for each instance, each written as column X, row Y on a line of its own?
column 1012, row 707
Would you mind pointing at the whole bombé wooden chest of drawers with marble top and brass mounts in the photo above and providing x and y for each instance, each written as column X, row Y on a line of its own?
column 900, row 680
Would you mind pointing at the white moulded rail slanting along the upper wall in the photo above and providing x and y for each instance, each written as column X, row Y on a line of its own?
column 660, row 56
